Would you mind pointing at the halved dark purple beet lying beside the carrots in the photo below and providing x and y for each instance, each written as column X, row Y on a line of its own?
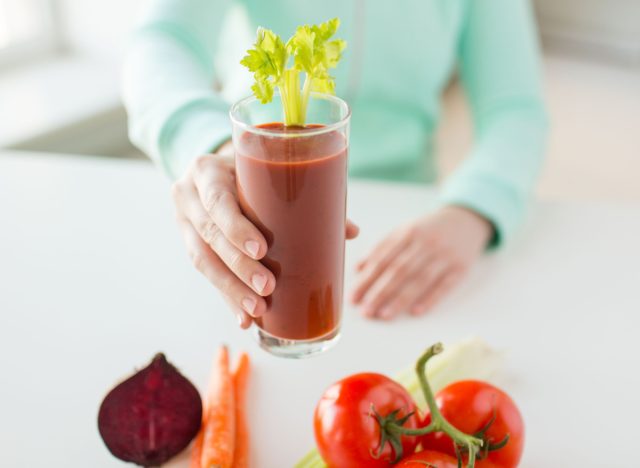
column 151, row 416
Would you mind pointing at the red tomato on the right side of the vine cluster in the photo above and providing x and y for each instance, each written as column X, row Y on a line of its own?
column 470, row 405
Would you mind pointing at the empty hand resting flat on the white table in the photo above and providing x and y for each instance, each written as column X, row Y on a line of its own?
column 416, row 265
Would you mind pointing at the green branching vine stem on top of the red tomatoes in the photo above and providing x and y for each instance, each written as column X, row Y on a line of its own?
column 438, row 422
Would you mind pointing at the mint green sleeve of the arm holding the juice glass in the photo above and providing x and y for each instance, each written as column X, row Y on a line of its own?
column 174, row 113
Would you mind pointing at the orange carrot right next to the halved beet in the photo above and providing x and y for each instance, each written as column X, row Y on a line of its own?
column 220, row 428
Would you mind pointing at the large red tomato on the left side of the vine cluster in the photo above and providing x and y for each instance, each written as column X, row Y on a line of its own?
column 347, row 433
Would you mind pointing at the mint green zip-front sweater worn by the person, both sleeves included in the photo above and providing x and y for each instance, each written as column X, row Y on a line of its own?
column 399, row 58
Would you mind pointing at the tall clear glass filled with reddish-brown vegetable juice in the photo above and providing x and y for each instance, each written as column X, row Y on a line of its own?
column 292, row 184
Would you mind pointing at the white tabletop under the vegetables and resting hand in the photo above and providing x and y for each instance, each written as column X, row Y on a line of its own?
column 94, row 280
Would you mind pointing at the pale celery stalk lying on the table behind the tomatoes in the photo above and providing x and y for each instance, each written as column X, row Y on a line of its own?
column 469, row 359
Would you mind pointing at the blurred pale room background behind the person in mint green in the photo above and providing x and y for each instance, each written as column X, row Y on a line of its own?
column 60, row 87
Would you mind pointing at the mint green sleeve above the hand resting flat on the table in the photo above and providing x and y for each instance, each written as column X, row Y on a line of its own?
column 499, row 68
